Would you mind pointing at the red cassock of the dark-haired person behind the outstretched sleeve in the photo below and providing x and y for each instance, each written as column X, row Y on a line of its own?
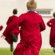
column 15, row 30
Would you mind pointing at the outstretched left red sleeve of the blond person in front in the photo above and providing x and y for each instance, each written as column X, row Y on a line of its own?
column 18, row 21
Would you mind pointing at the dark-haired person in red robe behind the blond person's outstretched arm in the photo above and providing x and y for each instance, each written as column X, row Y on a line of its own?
column 15, row 30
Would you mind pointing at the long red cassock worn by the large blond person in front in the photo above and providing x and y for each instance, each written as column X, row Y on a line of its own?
column 30, row 33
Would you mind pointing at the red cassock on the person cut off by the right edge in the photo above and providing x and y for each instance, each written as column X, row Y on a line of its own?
column 51, row 24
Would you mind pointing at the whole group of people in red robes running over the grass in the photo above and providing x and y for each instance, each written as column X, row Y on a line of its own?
column 31, row 25
